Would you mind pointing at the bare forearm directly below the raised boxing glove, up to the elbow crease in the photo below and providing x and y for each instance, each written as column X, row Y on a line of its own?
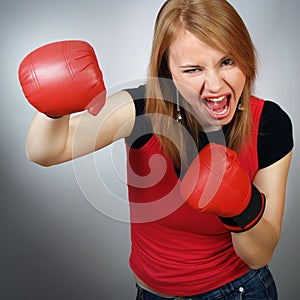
column 46, row 139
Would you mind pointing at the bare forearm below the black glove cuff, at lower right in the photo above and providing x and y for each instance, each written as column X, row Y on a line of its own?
column 256, row 246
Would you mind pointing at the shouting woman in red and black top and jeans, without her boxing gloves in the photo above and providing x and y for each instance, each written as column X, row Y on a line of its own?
column 201, row 74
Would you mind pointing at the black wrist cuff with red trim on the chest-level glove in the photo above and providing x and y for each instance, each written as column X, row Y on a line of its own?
column 250, row 216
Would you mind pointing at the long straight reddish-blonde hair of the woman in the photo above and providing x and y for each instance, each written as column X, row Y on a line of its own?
column 218, row 25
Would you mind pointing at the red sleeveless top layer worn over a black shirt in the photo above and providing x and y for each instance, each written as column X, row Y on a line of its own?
column 176, row 250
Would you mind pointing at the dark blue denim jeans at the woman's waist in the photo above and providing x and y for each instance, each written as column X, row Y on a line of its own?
column 254, row 285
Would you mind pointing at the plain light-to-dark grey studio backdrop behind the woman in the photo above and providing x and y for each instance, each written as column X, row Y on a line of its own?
column 56, row 240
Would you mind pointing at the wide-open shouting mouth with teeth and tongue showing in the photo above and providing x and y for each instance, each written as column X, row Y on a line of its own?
column 218, row 107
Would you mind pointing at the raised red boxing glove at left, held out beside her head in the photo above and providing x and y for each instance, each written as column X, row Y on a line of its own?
column 63, row 78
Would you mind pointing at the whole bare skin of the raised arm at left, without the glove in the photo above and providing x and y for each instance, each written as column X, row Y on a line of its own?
column 53, row 141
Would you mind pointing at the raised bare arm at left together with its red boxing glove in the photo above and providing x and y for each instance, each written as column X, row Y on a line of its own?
column 62, row 78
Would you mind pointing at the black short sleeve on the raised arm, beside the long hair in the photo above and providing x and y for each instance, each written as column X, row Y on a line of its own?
column 142, row 130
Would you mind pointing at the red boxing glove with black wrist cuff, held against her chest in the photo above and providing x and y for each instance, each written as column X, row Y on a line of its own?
column 215, row 183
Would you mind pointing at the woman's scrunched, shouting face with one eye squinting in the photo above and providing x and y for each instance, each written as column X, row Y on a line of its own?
column 208, row 79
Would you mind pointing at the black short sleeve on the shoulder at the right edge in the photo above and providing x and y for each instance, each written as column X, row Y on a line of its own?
column 275, row 138
